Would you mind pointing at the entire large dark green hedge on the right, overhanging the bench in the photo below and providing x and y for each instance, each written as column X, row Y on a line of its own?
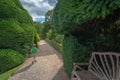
column 92, row 24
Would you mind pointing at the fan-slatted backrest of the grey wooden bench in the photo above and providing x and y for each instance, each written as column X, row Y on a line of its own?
column 105, row 65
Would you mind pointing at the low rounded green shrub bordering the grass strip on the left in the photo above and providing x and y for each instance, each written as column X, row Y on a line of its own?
column 9, row 59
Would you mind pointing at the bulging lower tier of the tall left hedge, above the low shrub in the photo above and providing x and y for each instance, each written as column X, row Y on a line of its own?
column 13, row 36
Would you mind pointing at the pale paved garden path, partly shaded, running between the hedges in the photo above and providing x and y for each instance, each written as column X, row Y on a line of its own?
column 49, row 66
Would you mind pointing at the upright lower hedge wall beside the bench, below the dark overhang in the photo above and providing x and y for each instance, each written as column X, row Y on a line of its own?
column 73, row 51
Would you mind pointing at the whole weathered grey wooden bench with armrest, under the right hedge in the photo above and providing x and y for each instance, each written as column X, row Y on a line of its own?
column 102, row 66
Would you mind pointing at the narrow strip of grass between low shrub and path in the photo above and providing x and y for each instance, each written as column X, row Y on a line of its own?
column 6, row 75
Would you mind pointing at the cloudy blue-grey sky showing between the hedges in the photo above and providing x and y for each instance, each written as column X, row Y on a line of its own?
column 38, row 8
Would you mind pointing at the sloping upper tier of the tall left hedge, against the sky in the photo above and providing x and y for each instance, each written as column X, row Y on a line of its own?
column 10, row 10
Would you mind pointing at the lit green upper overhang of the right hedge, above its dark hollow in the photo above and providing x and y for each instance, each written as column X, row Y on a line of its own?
column 70, row 14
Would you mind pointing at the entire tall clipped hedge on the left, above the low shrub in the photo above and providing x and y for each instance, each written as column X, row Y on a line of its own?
column 16, row 27
